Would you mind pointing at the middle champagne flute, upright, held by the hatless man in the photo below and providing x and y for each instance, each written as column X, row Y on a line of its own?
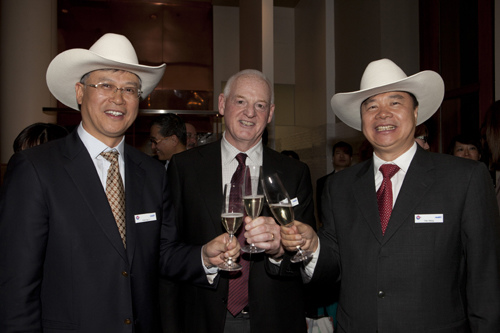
column 253, row 198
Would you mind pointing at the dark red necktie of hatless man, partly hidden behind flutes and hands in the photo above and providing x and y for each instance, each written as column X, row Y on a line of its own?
column 238, row 282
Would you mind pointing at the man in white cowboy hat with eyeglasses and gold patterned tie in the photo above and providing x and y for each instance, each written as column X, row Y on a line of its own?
column 66, row 263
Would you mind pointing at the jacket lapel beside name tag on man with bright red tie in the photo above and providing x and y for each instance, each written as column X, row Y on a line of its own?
column 417, row 182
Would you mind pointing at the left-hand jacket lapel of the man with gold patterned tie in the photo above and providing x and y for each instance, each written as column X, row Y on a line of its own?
column 82, row 171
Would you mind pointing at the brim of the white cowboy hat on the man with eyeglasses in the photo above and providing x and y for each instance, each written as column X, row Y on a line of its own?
column 68, row 67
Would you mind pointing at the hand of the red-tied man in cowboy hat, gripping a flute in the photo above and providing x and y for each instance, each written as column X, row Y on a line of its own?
column 300, row 234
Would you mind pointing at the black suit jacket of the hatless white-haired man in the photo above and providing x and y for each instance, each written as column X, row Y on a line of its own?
column 276, row 300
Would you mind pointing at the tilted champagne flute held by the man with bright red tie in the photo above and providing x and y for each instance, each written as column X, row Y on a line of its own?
column 282, row 209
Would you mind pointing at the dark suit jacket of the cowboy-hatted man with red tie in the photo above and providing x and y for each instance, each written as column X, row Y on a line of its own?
column 419, row 277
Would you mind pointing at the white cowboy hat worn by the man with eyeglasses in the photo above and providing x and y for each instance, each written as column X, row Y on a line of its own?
column 110, row 51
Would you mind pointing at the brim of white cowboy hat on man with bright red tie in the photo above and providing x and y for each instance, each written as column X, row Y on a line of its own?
column 427, row 86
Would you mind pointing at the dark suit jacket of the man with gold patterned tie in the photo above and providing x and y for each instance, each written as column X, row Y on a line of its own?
column 63, row 267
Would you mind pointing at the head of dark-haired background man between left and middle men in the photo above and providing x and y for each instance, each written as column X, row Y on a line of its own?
column 168, row 136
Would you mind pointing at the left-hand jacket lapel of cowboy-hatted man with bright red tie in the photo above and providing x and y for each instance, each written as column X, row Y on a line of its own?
column 366, row 198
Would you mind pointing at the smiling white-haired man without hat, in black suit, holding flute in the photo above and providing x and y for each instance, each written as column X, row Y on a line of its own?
column 275, row 300
